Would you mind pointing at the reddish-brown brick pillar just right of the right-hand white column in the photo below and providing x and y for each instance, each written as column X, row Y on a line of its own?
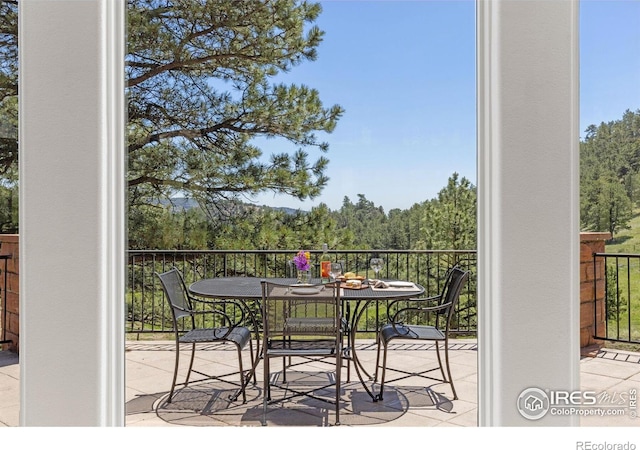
column 591, row 243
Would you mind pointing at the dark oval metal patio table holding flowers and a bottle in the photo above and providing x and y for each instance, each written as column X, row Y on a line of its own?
column 250, row 289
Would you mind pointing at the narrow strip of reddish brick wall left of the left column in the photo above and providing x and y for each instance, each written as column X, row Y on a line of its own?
column 10, row 329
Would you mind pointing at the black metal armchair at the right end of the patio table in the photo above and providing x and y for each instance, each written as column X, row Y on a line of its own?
column 414, row 310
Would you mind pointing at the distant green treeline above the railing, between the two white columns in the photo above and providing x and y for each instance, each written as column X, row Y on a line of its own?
column 447, row 221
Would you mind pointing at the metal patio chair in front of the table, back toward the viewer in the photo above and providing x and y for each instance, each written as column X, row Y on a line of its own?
column 300, row 322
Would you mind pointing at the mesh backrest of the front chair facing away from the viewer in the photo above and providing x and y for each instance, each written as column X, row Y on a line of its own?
column 301, row 312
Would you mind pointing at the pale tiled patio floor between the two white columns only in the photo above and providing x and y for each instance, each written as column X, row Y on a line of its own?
column 404, row 404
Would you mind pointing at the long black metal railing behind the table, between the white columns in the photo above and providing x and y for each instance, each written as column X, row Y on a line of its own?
column 148, row 310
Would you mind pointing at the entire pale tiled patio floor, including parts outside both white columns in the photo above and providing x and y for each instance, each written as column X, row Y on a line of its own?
column 407, row 403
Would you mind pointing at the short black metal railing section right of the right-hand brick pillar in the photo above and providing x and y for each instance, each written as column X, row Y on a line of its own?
column 621, row 297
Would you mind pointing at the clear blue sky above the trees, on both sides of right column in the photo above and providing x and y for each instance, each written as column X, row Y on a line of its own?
column 404, row 71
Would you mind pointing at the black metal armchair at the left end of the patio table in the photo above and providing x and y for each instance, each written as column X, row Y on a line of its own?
column 219, row 321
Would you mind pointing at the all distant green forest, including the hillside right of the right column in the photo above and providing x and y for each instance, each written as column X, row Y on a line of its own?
column 609, row 193
